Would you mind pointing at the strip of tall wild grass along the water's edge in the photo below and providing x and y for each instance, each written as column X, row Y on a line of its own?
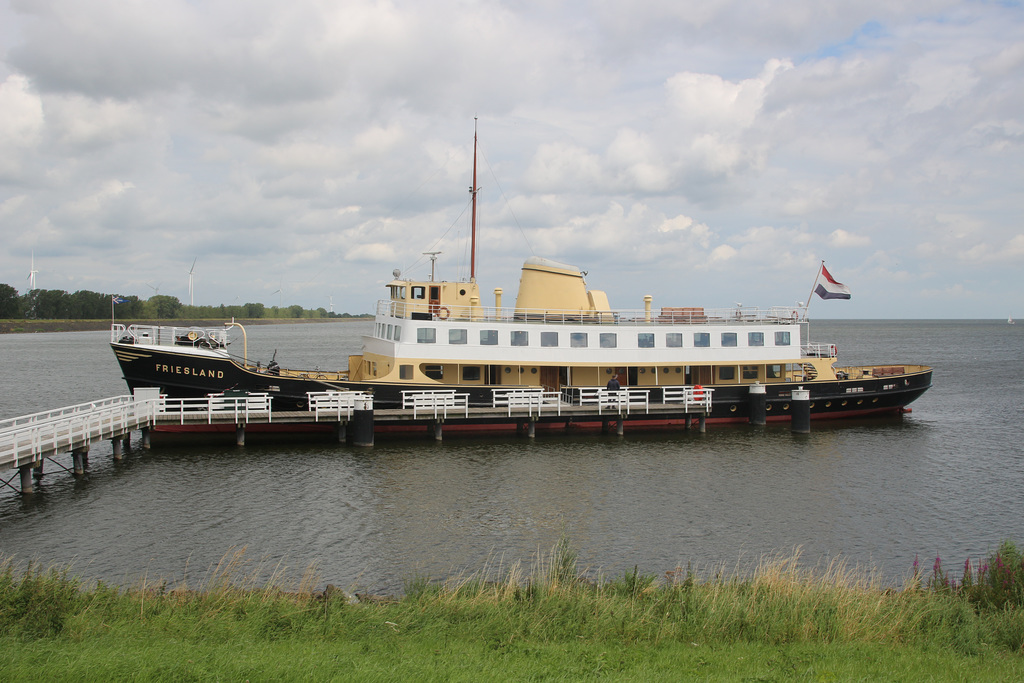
column 551, row 601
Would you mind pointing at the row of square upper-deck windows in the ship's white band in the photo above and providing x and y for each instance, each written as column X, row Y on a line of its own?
column 583, row 339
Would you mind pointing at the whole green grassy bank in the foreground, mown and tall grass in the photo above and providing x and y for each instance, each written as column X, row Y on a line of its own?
column 780, row 622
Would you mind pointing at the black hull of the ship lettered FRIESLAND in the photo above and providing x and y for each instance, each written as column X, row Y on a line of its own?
column 182, row 375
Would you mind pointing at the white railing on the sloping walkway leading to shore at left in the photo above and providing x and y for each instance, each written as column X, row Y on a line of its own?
column 75, row 429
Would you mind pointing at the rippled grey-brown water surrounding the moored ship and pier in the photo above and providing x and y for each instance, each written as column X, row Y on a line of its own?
column 945, row 481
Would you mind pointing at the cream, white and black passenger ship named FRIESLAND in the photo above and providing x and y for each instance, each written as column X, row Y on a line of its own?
column 559, row 336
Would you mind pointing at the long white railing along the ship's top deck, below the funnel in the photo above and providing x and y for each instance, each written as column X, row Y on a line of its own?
column 665, row 316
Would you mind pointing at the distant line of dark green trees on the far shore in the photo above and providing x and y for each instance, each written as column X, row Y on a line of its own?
column 61, row 306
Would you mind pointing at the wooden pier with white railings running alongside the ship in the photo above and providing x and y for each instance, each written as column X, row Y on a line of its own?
column 27, row 443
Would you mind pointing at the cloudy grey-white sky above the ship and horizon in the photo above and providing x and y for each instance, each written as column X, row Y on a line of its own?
column 706, row 153
